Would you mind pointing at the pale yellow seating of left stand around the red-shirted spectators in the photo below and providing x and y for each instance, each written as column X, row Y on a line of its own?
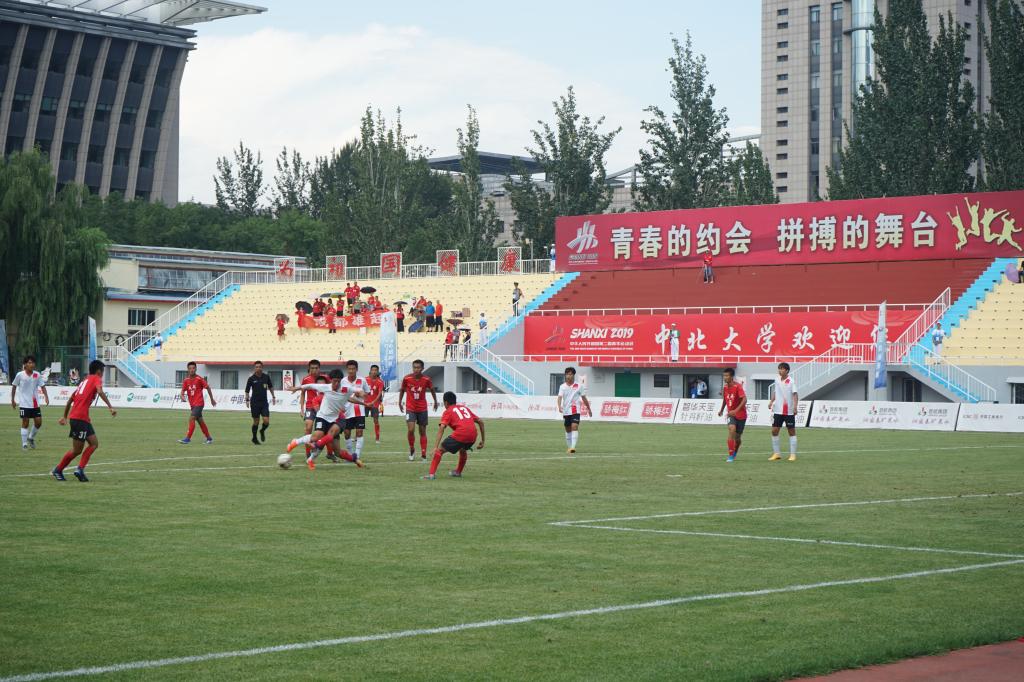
column 240, row 326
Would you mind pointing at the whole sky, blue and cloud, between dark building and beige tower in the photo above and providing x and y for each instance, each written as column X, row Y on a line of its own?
column 303, row 74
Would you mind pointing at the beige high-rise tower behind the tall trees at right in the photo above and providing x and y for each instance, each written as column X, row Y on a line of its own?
column 815, row 57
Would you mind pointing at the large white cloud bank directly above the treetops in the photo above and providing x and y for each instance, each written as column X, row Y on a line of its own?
column 276, row 89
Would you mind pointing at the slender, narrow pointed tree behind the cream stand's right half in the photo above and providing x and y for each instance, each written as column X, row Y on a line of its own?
column 475, row 221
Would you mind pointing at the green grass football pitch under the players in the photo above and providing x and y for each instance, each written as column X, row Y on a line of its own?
column 179, row 551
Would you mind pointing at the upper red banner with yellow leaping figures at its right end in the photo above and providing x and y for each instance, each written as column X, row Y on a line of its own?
column 934, row 227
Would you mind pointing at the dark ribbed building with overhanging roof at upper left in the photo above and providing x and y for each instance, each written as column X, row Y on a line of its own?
column 96, row 86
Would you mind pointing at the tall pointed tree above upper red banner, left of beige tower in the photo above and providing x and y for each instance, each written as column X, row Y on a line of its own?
column 682, row 166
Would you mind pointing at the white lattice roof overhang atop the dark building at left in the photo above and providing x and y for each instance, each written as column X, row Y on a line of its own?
column 167, row 13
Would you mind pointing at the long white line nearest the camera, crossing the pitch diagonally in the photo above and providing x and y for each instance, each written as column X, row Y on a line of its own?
column 482, row 625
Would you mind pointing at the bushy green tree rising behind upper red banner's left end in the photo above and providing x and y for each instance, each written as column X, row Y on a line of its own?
column 572, row 156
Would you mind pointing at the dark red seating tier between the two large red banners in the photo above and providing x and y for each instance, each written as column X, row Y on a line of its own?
column 833, row 284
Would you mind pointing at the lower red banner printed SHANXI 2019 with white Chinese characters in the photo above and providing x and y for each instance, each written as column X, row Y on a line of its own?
column 769, row 334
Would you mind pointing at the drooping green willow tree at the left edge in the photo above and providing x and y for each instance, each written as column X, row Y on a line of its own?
column 51, row 258
